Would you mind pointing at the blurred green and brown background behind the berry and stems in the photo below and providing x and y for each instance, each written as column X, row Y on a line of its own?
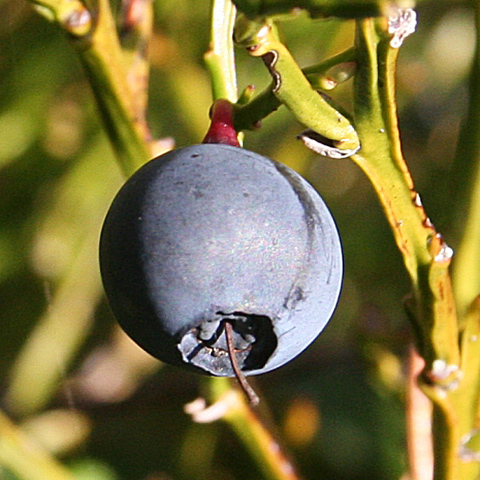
column 70, row 377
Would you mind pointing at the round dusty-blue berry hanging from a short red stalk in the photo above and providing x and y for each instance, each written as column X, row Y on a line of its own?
column 210, row 234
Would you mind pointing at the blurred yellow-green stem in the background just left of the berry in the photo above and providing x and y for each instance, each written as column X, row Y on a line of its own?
column 38, row 368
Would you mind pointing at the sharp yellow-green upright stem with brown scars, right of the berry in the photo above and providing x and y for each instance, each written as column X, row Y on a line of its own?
column 426, row 256
